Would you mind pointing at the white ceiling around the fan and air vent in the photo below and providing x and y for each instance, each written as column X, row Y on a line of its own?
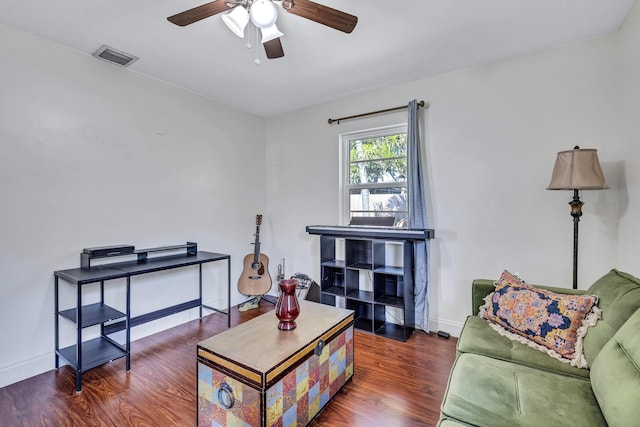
column 393, row 42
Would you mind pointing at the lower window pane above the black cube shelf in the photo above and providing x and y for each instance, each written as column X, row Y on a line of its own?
column 390, row 201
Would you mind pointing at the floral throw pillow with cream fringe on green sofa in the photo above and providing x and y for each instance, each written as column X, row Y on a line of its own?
column 550, row 322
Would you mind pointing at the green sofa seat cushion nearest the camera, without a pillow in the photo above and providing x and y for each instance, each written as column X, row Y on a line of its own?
column 483, row 391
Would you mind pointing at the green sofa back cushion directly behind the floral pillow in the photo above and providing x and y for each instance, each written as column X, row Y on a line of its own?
column 619, row 298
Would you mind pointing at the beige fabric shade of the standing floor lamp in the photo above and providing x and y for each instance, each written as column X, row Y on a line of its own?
column 577, row 169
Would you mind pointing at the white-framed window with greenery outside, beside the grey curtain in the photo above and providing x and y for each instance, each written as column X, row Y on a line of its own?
column 374, row 174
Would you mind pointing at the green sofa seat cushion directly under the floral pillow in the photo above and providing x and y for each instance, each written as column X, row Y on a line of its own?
column 479, row 338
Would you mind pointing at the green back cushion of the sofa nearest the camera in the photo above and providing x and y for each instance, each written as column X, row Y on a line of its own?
column 615, row 375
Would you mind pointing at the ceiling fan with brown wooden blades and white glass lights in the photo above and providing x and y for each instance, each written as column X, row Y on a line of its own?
column 263, row 14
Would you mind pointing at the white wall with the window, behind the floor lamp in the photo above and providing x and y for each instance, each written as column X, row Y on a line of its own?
column 492, row 133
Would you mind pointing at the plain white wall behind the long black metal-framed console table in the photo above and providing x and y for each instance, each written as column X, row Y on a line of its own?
column 93, row 155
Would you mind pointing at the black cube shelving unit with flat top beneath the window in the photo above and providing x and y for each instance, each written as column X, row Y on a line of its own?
column 389, row 286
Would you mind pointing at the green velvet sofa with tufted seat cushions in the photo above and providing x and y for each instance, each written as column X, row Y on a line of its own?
column 498, row 382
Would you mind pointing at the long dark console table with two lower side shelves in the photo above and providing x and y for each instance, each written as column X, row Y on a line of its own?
column 85, row 355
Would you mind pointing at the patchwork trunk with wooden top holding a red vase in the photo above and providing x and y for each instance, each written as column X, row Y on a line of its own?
column 257, row 375
